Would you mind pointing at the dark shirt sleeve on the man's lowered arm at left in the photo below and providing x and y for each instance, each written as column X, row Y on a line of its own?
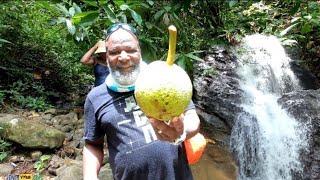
column 92, row 127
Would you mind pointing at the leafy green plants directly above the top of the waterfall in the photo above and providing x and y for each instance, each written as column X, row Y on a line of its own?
column 247, row 17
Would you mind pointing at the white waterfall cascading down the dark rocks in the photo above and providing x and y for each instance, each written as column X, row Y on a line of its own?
column 265, row 139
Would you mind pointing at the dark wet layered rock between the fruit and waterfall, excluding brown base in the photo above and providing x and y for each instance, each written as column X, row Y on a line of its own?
column 216, row 89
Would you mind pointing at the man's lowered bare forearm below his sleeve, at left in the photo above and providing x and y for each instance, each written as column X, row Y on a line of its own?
column 92, row 160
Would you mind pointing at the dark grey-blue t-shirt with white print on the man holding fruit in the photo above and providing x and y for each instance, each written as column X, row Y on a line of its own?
column 134, row 151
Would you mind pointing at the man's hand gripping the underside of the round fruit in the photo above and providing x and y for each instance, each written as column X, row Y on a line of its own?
column 168, row 131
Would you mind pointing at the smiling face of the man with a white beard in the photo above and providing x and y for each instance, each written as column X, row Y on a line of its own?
column 123, row 57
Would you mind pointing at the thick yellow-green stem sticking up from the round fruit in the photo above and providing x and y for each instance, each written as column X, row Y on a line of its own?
column 172, row 44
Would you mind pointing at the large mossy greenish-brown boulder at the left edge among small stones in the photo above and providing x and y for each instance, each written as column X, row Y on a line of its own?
column 30, row 133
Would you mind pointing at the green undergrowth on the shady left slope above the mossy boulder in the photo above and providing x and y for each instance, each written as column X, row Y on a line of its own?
column 41, row 56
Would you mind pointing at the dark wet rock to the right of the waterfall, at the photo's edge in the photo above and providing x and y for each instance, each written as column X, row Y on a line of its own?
column 304, row 105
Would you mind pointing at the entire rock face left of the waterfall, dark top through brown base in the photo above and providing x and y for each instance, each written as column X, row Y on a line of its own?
column 216, row 96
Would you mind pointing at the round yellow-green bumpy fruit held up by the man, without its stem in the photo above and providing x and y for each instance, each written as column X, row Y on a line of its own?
column 163, row 91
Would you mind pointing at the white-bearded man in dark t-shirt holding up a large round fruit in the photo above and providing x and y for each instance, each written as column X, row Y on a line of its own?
column 136, row 150
